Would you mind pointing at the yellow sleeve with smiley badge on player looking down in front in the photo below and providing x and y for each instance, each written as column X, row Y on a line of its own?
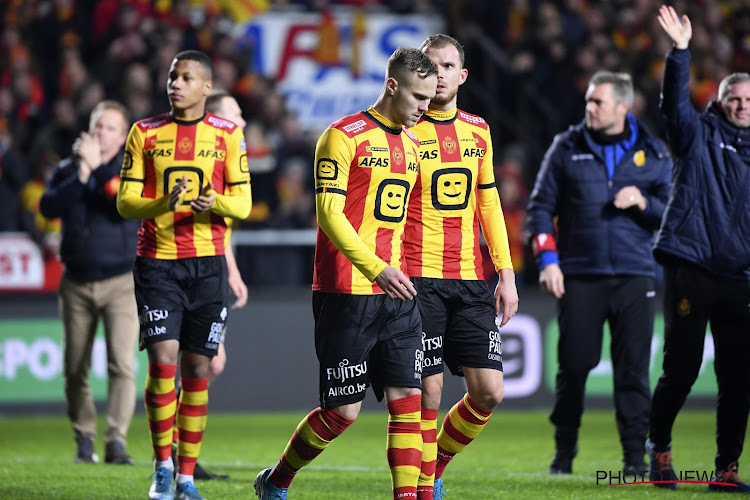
column 333, row 156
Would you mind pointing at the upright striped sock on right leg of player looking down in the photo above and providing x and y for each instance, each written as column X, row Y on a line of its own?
column 404, row 445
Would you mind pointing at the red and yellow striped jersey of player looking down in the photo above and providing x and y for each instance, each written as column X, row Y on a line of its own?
column 365, row 168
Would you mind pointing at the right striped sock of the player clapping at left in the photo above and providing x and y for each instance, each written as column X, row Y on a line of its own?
column 192, row 414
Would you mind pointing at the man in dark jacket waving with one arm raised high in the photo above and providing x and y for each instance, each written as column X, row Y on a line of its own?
column 704, row 245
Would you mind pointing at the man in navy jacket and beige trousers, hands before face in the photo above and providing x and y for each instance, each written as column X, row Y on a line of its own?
column 98, row 250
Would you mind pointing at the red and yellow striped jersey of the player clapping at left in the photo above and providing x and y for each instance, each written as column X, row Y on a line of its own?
column 158, row 153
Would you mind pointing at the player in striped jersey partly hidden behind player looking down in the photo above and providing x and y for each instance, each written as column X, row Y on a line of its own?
column 454, row 194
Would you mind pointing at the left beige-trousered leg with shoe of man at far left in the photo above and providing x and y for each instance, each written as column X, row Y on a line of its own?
column 79, row 318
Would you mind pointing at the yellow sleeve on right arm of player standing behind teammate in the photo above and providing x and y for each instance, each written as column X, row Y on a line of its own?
column 491, row 213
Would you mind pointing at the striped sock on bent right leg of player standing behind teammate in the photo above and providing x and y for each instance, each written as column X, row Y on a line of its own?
column 462, row 424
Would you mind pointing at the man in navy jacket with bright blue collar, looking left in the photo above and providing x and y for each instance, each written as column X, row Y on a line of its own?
column 606, row 180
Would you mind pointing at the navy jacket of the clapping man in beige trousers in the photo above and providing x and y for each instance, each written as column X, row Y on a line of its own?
column 97, row 243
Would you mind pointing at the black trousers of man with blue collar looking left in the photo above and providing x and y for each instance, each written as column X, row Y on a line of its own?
column 627, row 304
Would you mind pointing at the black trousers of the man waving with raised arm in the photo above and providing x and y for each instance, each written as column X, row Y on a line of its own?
column 694, row 298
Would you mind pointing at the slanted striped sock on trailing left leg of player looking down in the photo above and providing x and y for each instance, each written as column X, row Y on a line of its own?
column 314, row 433
